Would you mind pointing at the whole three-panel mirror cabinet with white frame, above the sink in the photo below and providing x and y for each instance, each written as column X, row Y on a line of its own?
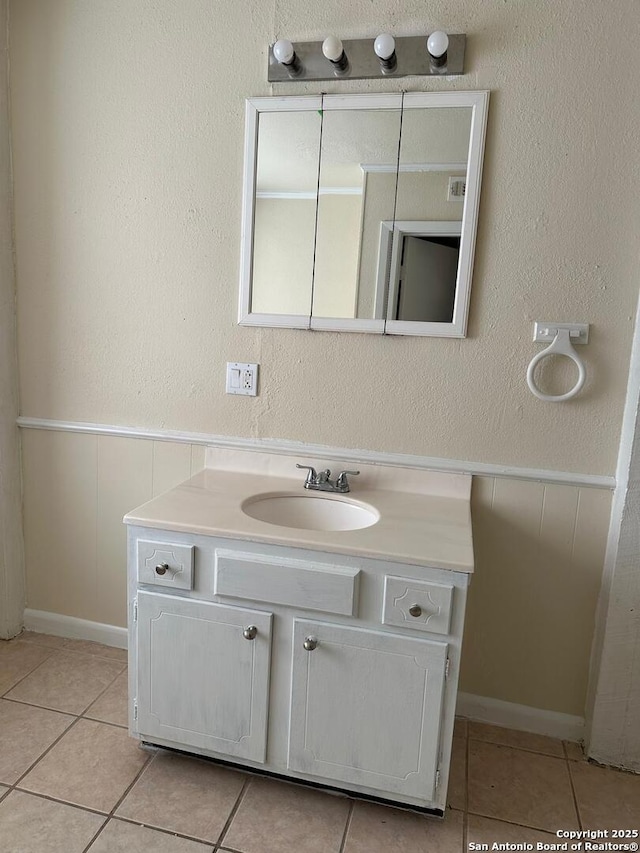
column 360, row 211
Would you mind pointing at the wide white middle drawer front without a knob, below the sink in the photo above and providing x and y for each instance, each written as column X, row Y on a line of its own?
column 281, row 580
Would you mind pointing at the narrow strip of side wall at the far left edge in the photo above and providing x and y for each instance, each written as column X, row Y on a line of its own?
column 11, row 548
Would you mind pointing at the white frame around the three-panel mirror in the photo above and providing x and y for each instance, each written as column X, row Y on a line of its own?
column 477, row 101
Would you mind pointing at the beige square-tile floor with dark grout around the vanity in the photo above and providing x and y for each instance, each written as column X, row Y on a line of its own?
column 71, row 780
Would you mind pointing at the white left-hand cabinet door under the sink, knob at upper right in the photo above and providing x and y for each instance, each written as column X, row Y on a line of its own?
column 200, row 681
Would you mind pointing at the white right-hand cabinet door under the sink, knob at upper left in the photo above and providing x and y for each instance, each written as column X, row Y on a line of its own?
column 365, row 707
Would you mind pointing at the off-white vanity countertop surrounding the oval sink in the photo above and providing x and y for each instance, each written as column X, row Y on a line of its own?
column 428, row 526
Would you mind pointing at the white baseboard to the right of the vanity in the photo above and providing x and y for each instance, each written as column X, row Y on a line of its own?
column 520, row 717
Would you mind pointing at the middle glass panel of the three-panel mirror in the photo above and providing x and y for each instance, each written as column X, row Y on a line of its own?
column 350, row 139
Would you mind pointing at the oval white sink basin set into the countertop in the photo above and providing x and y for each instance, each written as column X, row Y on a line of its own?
column 310, row 512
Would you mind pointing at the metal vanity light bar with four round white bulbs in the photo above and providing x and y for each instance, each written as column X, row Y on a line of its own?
column 438, row 54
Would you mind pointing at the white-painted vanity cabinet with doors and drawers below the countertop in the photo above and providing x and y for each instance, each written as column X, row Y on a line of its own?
column 332, row 669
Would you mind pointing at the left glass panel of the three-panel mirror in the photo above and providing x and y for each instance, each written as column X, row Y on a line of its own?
column 285, row 212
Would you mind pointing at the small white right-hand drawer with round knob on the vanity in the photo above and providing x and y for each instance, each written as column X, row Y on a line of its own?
column 422, row 605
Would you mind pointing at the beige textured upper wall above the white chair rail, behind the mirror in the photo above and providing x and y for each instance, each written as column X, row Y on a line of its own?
column 127, row 134
